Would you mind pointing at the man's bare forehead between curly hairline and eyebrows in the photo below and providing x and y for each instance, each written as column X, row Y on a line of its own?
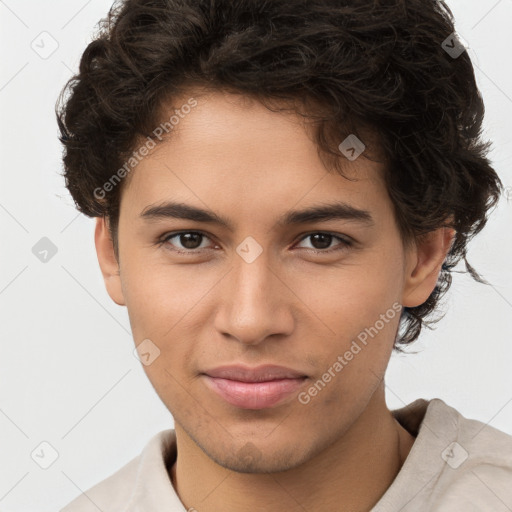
column 230, row 149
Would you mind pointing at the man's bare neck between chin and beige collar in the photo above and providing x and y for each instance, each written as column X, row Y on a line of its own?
column 355, row 471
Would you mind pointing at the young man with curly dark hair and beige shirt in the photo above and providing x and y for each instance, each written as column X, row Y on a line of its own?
column 282, row 190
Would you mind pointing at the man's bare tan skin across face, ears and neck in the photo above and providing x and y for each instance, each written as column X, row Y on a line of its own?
column 291, row 306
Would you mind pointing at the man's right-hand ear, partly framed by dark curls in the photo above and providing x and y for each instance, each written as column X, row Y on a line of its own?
column 424, row 263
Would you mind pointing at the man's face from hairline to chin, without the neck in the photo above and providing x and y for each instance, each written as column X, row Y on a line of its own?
column 260, row 290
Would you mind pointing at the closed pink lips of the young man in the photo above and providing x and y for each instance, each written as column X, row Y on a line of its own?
column 254, row 388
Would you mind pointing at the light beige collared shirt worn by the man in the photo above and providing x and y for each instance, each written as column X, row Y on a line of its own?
column 454, row 464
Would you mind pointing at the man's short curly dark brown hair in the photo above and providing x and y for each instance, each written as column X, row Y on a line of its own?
column 360, row 66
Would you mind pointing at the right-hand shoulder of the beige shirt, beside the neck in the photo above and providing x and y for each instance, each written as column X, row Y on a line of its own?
column 455, row 463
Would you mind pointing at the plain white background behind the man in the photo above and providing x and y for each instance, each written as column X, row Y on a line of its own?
column 68, row 374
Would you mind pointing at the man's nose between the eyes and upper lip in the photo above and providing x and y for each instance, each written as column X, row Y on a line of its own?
column 255, row 302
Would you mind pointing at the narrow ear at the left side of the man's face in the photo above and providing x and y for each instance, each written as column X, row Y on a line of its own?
column 108, row 262
